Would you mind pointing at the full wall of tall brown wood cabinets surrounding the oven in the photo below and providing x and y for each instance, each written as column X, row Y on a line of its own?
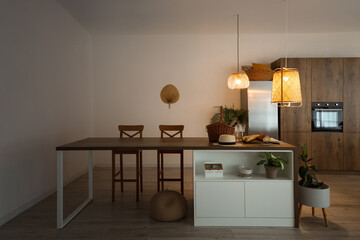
column 325, row 80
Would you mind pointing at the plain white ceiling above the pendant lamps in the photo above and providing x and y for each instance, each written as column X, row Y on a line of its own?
column 214, row 16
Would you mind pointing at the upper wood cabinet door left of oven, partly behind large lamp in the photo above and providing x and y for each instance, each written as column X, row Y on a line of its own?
column 298, row 119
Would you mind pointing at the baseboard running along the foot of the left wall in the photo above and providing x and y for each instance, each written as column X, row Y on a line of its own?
column 35, row 200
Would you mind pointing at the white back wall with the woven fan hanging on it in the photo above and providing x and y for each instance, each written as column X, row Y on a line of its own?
column 130, row 71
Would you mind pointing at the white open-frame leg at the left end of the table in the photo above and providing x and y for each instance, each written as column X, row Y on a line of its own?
column 60, row 197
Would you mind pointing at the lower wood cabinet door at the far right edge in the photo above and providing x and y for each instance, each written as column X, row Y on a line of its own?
column 352, row 151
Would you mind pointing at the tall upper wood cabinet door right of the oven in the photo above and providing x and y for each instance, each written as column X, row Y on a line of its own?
column 351, row 94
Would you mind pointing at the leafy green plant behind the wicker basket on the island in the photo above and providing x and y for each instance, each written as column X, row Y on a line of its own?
column 231, row 116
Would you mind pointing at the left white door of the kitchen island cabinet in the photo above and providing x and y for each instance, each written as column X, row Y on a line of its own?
column 219, row 199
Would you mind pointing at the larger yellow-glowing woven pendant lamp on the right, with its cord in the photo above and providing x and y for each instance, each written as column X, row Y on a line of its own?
column 286, row 89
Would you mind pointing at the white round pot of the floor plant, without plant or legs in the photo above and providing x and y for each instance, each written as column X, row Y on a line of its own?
column 315, row 197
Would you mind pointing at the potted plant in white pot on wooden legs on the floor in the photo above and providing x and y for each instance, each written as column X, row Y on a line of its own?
column 312, row 192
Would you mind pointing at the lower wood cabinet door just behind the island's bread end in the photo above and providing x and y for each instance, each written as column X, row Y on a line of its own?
column 297, row 139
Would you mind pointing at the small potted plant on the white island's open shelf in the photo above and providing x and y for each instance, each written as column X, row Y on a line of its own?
column 272, row 163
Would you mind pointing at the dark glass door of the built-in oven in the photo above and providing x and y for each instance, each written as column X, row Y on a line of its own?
column 327, row 120
